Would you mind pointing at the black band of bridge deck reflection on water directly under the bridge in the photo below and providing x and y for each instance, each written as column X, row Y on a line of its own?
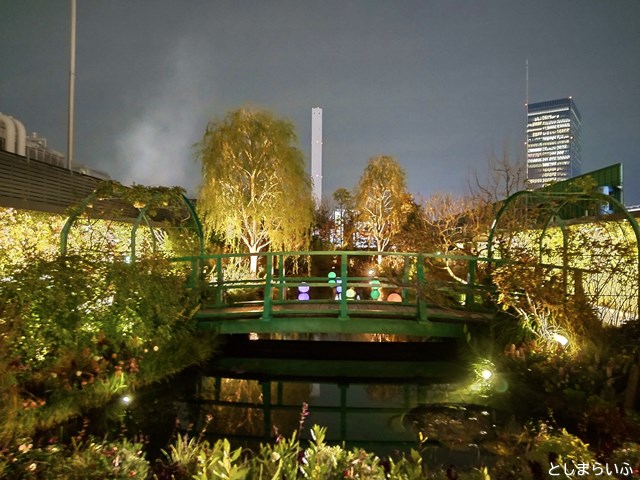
column 341, row 361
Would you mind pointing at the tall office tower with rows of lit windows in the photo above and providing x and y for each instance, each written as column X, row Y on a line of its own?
column 554, row 152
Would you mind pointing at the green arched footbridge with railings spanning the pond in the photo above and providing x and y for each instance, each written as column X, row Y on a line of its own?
column 346, row 292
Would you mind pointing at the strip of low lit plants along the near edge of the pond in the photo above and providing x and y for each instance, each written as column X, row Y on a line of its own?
column 533, row 454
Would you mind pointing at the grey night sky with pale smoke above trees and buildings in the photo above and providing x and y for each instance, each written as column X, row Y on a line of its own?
column 439, row 85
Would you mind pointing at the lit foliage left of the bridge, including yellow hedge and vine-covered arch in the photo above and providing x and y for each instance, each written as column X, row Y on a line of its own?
column 78, row 329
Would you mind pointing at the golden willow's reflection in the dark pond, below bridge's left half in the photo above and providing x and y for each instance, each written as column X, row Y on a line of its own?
column 247, row 417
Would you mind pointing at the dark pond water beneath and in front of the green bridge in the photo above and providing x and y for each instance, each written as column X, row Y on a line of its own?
column 372, row 395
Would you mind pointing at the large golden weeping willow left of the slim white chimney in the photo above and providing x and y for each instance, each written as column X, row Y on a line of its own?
column 255, row 191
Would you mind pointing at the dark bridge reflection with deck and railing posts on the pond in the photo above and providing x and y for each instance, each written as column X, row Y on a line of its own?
column 361, row 396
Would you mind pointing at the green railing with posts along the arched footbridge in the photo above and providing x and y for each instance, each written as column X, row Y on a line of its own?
column 340, row 283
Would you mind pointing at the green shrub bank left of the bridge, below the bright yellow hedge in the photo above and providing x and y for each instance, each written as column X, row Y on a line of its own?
column 78, row 330
